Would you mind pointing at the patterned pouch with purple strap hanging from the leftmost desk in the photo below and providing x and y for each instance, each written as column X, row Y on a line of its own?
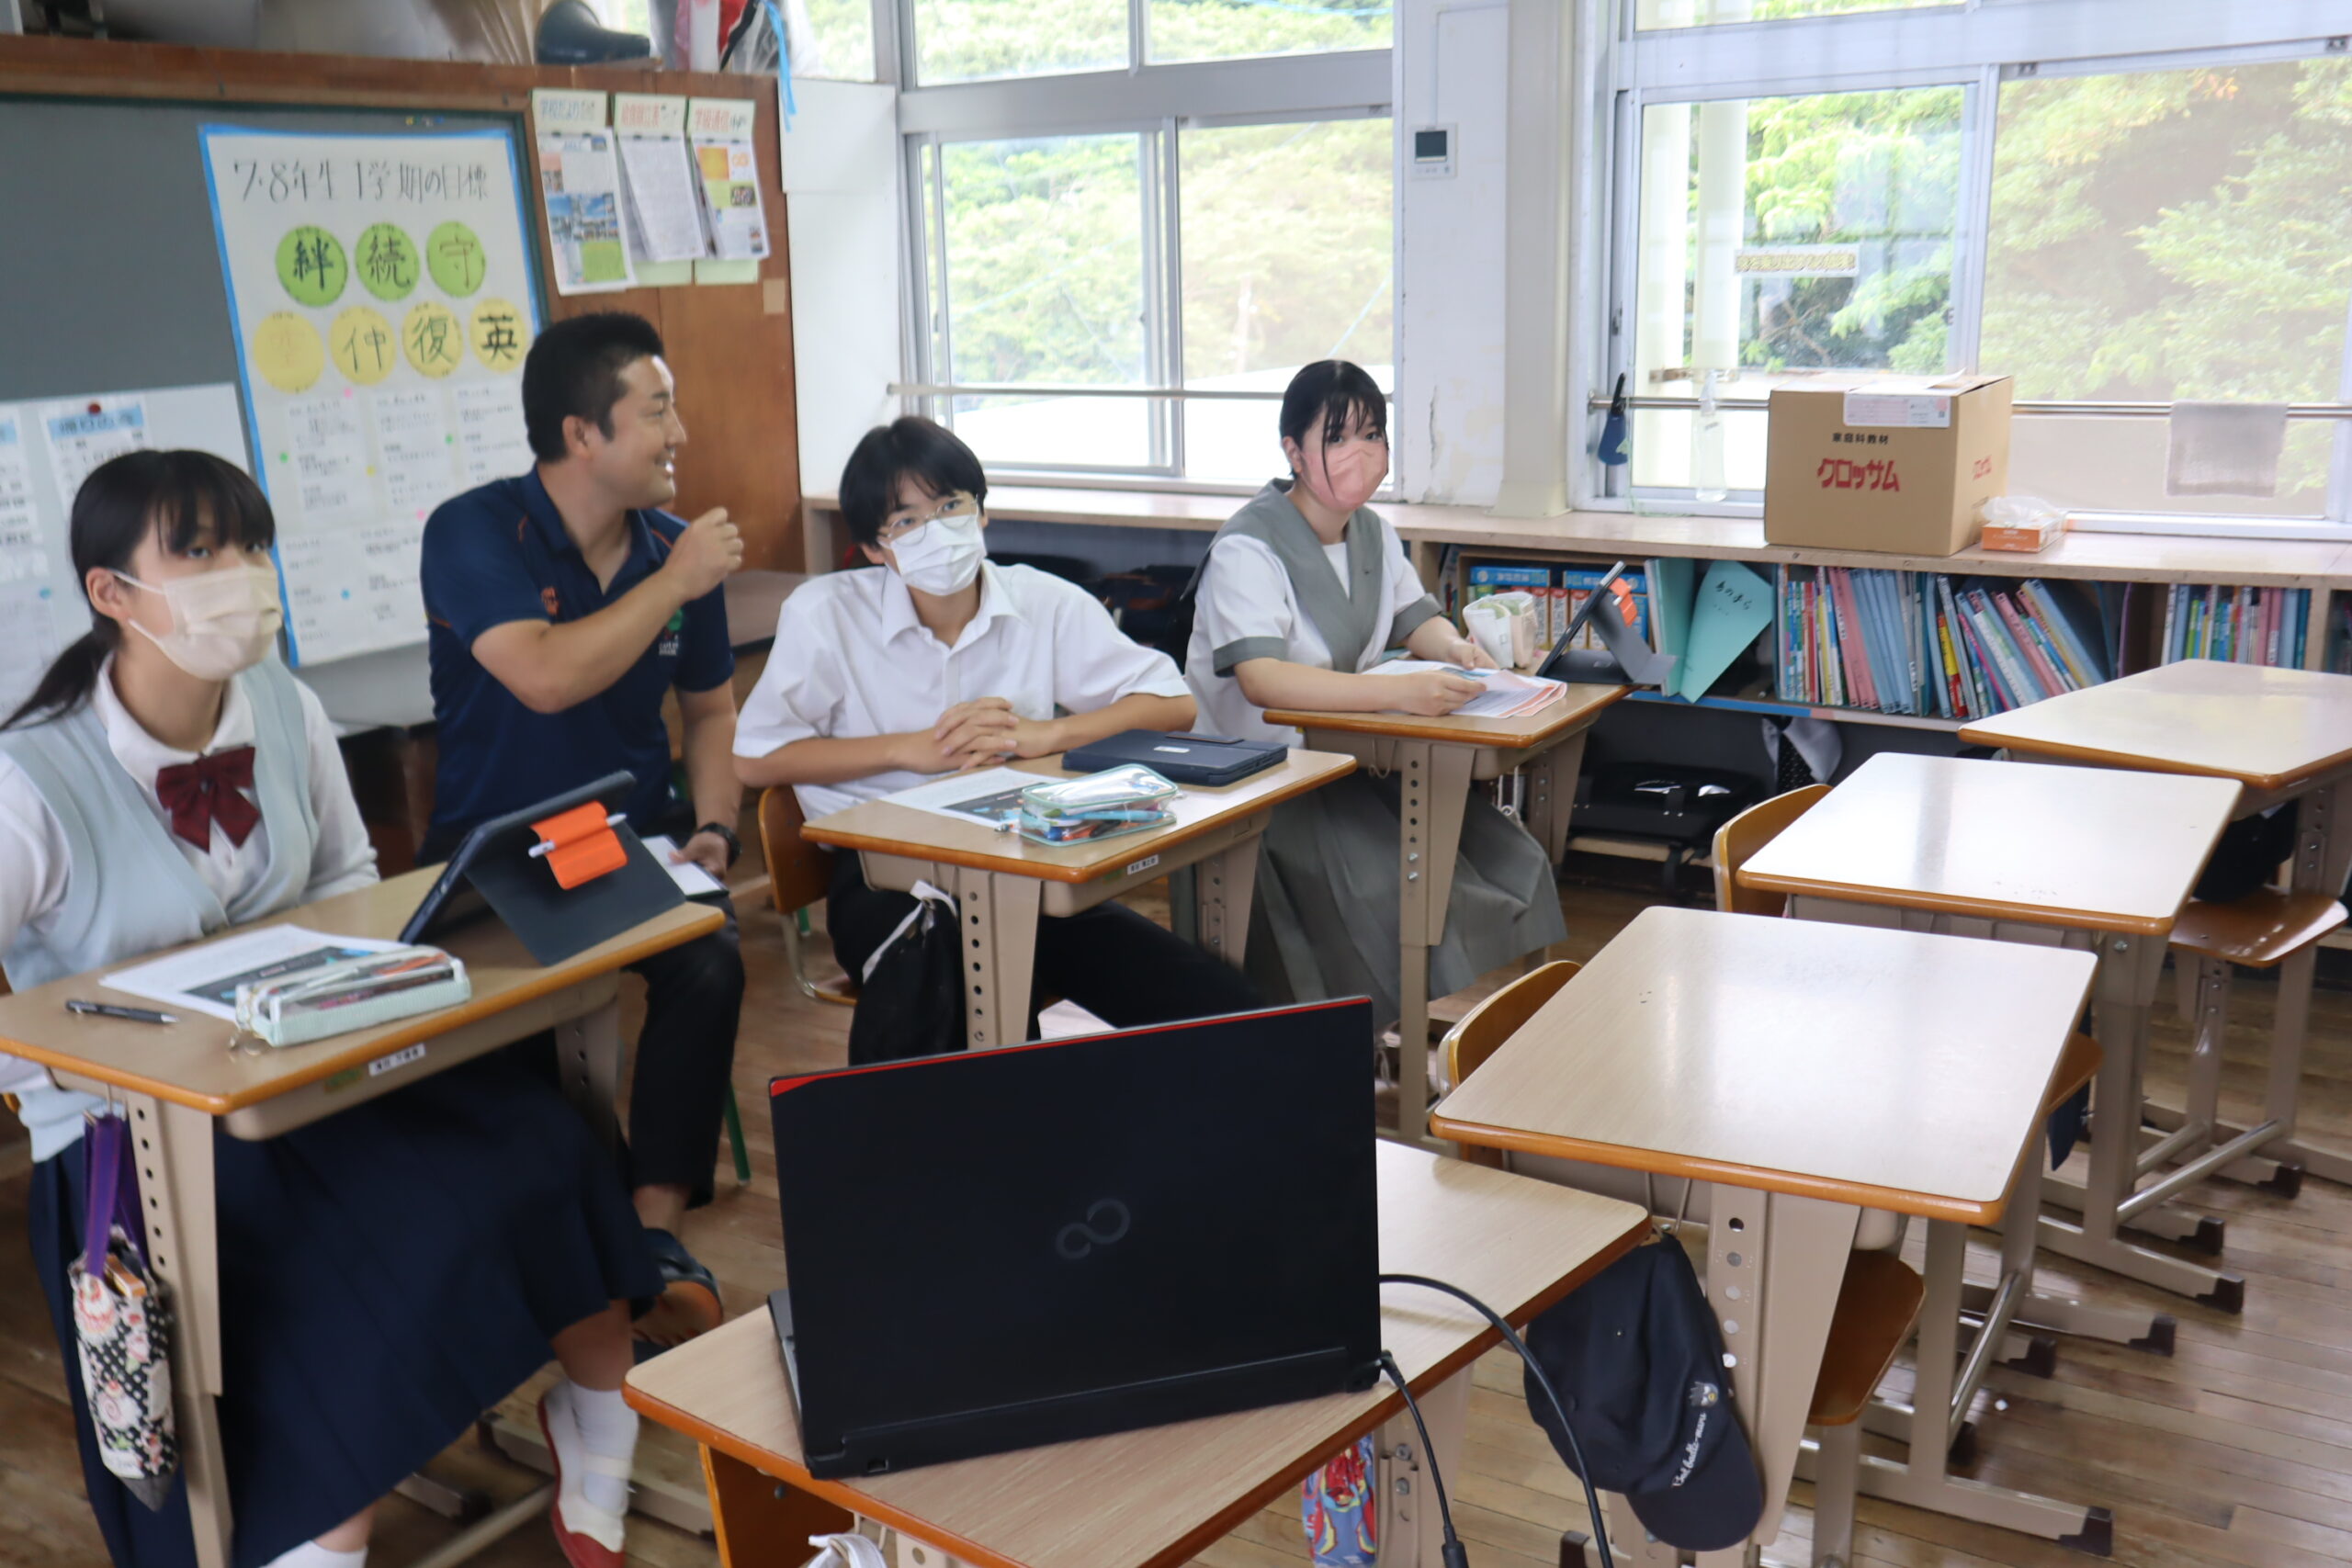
column 123, row 1325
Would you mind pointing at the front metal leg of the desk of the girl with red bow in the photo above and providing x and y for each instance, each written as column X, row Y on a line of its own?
column 173, row 1146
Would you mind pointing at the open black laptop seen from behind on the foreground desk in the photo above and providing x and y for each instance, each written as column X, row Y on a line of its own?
column 1048, row 1242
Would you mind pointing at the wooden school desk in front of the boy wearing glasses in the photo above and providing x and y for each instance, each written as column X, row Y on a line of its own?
column 1003, row 883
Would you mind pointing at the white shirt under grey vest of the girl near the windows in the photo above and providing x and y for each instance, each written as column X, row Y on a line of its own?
column 1248, row 594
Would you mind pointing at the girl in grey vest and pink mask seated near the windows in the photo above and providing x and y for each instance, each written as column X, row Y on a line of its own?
column 1304, row 591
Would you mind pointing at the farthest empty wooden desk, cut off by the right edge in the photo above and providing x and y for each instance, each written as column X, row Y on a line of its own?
column 2283, row 737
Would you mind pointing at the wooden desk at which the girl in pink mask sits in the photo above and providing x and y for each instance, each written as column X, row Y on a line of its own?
column 1436, row 763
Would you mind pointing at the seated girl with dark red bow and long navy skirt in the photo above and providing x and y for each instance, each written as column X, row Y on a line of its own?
column 394, row 1271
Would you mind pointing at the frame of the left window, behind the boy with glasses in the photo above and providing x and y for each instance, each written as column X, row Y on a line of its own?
column 1144, row 100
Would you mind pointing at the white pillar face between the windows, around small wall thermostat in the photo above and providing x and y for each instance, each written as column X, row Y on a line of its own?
column 1452, row 65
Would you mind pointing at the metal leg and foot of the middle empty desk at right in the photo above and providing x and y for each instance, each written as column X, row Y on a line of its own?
column 2127, row 989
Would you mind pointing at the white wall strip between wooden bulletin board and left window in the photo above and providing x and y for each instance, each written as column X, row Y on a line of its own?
column 841, row 185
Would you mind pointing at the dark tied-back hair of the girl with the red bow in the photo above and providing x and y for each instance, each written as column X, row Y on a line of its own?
column 180, row 497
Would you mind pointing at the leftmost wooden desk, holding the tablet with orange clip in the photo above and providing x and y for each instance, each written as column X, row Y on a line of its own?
column 180, row 1080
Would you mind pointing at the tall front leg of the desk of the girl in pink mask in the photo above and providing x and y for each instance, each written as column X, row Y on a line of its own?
column 1434, row 791
